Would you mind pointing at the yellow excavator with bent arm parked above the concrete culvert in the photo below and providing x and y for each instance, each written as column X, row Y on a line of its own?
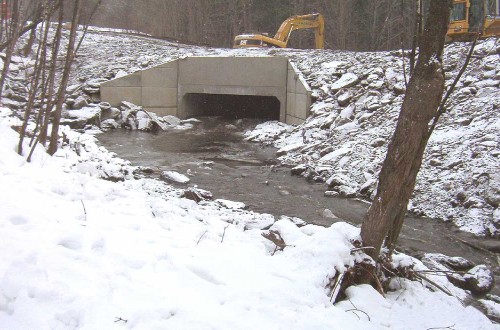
column 311, row 21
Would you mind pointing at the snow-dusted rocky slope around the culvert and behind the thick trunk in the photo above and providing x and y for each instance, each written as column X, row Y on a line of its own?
column 358, row 97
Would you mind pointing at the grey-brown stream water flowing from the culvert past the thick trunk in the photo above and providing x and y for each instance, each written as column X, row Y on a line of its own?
column 219, row 160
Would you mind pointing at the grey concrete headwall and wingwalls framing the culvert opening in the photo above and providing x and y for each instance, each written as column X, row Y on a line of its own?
column 163, row 89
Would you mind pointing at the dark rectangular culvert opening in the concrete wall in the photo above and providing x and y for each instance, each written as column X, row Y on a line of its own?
column 232, row 106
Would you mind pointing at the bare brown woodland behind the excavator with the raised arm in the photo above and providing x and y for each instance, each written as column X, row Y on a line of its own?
column 358, row 25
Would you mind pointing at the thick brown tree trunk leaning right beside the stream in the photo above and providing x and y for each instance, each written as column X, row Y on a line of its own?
column 404, row 155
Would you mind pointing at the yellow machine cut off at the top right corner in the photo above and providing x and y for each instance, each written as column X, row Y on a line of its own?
column 470, row 17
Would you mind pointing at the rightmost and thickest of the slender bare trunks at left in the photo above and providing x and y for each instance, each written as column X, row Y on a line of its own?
column 70, row 55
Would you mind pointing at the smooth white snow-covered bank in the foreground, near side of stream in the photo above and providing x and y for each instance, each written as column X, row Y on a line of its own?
column 86, row 253
